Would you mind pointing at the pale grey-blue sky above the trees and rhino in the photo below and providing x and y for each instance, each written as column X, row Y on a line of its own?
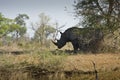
column 55, row 9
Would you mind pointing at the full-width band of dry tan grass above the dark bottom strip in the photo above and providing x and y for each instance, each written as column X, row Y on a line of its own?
column 103, row 61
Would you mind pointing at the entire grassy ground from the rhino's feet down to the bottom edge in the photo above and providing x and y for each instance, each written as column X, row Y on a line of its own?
column 44, row 64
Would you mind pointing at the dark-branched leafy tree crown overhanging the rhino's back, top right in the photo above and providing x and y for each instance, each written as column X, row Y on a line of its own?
column 99, row 13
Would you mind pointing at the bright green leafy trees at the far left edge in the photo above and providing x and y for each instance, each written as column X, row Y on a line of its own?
column 14, row 27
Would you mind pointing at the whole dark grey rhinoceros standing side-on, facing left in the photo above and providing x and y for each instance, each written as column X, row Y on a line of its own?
column 84, row 39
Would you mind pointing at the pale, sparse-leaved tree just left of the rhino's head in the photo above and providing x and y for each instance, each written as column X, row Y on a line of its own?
column 43, row 29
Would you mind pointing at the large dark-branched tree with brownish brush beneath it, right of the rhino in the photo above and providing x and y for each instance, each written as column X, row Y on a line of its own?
column 102, row 14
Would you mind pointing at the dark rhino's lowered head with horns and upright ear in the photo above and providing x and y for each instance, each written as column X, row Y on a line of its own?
column 61, row 42
